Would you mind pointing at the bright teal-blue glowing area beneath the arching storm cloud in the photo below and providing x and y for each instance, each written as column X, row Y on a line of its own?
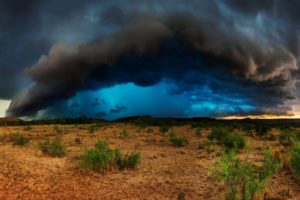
column 128, row 99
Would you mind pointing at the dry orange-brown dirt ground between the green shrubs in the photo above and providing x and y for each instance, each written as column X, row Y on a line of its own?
column 164, row 172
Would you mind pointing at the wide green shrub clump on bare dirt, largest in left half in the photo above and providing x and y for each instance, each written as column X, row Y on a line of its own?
column 102, row 157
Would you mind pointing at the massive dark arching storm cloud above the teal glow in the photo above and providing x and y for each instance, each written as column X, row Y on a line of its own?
column 240, row 38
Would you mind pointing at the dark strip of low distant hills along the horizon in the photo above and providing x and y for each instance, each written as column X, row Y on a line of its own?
column 152, row 121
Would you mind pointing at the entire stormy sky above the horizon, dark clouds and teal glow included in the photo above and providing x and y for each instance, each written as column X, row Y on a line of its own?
column 172, row 58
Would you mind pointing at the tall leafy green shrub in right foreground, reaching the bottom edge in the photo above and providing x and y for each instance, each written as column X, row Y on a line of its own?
column 243, row 179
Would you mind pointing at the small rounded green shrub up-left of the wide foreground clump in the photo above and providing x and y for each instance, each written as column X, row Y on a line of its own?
column 53, row 148
